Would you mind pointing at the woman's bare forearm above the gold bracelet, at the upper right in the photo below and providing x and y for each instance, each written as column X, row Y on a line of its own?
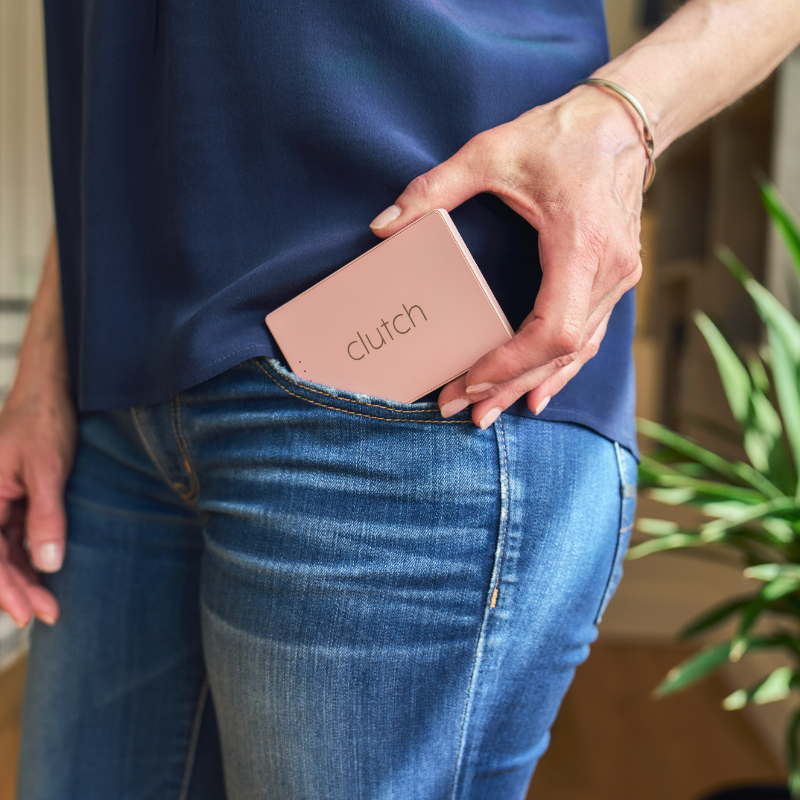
column 704, row 57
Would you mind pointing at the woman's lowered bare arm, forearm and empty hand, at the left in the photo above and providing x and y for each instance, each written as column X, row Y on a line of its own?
column 38, row 432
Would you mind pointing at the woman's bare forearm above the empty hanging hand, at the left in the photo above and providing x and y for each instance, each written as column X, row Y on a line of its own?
column 42, row 365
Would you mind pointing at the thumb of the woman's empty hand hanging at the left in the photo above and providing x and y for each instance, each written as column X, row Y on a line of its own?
column 45, row 521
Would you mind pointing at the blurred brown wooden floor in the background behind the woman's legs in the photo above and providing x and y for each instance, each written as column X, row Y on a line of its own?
column 610, row 742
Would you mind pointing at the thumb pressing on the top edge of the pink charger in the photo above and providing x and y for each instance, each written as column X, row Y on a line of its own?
column 445, row 186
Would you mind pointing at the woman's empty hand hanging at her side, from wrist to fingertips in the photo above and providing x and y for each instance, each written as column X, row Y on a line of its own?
column 37, row 445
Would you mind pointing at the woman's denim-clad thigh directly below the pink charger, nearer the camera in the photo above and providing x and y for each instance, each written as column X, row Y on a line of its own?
column 393, row 605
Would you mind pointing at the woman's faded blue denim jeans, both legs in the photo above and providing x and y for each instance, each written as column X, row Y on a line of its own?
column 275, row 590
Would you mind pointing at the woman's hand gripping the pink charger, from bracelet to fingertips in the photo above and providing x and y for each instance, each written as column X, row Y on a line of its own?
column 574, row 170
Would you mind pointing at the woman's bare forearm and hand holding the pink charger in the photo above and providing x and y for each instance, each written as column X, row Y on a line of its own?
column 574, row 170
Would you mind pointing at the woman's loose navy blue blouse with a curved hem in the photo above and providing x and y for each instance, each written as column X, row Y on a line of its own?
column 213, row 159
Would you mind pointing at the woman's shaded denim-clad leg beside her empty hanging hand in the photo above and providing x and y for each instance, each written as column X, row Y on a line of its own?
column 116, row 694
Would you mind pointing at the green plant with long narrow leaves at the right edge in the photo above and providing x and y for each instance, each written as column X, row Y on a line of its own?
column 751, row 507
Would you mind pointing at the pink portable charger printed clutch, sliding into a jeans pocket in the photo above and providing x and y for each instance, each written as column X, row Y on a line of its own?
column 406, row 317
